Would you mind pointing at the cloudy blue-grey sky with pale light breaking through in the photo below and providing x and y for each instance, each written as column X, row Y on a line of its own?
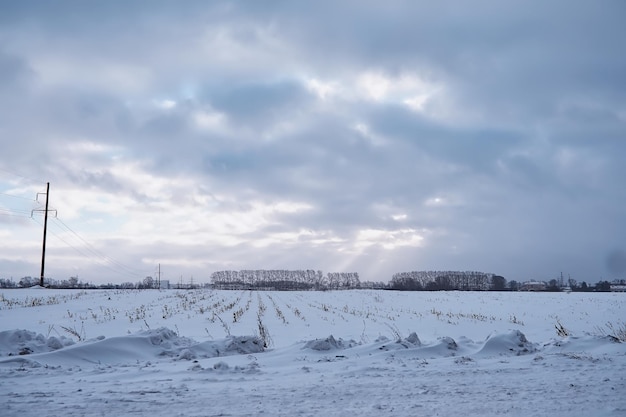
column 342, row 136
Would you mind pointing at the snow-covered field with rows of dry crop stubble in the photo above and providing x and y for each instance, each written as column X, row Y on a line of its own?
column 201, row 353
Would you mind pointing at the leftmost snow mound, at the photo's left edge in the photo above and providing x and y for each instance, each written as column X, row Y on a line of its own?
column 24, row 342
